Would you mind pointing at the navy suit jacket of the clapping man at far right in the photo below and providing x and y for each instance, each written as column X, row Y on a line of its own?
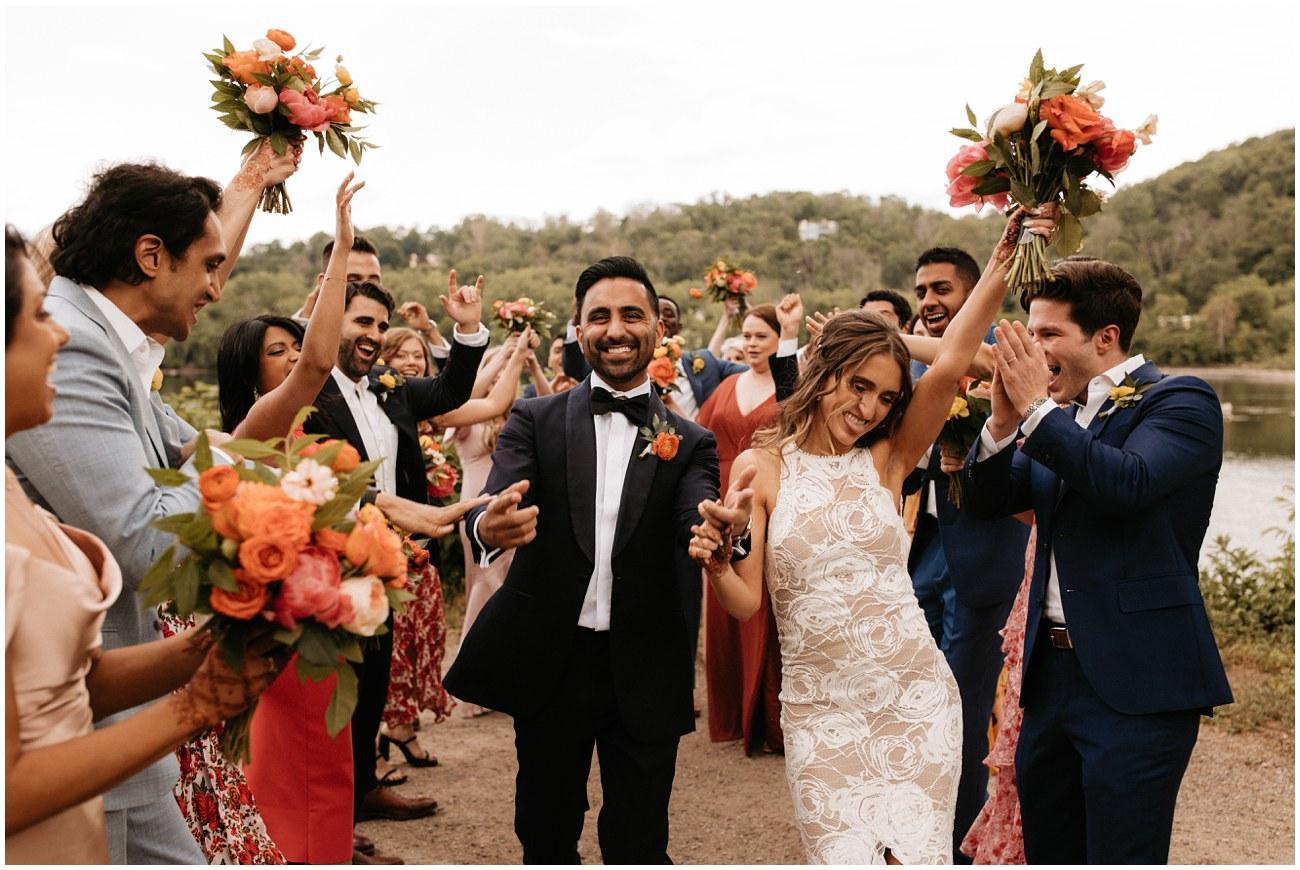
column 1124, row 507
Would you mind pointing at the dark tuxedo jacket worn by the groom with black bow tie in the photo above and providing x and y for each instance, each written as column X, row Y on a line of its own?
column 517, row 652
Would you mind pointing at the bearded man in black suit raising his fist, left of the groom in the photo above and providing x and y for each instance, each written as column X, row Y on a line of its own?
column 376, row 412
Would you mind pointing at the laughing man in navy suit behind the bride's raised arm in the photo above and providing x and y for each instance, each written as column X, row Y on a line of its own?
column 965, row 572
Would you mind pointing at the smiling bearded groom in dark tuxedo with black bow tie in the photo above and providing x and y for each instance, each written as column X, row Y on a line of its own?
column 586, row 644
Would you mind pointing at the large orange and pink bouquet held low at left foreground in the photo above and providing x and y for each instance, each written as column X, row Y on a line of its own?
column 281, row 548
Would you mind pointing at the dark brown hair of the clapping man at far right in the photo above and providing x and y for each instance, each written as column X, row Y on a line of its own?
column 1099, row 295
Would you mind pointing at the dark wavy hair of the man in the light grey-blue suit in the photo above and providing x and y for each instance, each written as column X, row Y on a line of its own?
column 96, row 241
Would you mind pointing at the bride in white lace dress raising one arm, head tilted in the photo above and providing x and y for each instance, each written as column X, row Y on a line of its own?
column 870, row 711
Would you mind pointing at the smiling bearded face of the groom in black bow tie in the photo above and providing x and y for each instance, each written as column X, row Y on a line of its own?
column 619, row 331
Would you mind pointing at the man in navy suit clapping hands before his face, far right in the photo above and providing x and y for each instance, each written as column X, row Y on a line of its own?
column 1120, row 661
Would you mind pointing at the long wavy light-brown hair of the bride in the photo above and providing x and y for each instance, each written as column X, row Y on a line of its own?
column 847, row 341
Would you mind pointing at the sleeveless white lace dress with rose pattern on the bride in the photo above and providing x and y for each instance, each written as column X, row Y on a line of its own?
column 872, row 715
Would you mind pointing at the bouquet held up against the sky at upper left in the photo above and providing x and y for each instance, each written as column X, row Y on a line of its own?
column 278, row 97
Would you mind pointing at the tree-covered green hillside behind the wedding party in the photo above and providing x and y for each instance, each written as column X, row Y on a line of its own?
column 1212, row 244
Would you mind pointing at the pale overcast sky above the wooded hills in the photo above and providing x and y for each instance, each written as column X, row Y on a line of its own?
column 544, row 111
